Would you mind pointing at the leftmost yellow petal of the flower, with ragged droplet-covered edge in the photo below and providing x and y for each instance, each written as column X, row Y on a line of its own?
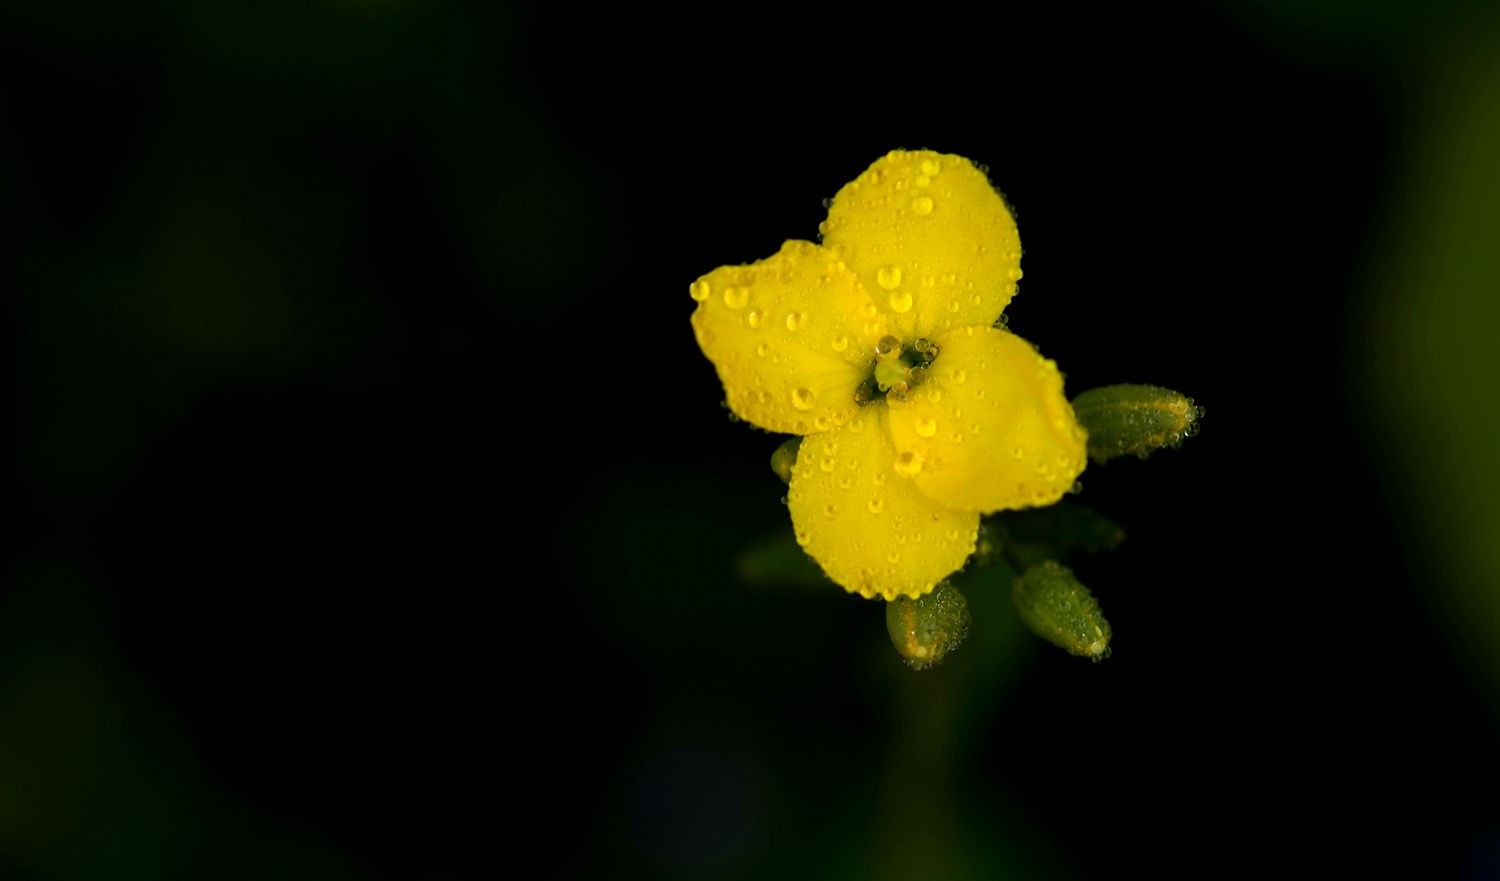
column 793, row 337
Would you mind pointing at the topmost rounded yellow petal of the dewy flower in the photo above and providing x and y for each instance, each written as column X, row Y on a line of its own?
column 931, row 239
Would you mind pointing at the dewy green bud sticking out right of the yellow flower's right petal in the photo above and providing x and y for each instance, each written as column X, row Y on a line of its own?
column 1135, row 419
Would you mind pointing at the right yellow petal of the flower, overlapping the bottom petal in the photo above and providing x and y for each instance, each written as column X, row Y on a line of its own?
column 991, row 428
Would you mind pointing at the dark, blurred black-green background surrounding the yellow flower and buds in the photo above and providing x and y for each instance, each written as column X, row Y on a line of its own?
column 377, row 516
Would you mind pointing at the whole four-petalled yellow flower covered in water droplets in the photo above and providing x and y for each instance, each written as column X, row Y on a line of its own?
column 880, row 347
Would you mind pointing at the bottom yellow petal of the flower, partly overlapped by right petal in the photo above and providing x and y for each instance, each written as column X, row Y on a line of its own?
column 868, row 526
